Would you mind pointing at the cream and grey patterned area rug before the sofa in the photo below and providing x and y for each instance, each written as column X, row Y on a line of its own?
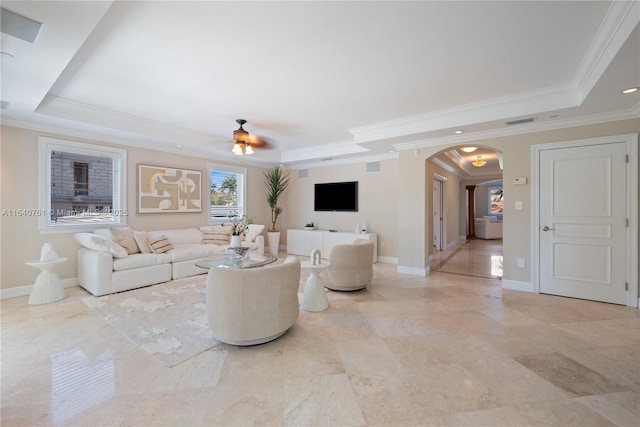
column 168, row 321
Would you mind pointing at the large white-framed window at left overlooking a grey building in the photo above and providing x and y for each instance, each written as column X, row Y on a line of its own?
column 67, row 201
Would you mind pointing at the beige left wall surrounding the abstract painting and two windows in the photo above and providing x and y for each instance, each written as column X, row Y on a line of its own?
column 20, row 239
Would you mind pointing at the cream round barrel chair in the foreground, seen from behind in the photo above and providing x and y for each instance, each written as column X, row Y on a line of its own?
column 253, row 305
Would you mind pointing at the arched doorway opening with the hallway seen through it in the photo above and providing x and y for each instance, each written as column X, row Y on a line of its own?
column 461, row 191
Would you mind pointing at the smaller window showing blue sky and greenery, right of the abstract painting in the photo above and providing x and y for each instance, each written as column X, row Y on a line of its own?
column 227, row 195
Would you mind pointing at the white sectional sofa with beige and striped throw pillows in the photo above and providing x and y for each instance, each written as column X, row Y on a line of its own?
column 105, row 267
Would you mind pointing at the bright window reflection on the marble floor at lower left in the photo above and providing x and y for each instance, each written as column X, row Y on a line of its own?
column 78, row 383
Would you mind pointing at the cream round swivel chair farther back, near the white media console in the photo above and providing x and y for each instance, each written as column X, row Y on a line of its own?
column 351, row 266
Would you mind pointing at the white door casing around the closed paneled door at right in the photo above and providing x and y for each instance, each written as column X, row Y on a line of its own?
column 631, row 243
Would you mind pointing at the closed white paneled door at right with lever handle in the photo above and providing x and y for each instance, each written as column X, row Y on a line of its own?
column 582, row 218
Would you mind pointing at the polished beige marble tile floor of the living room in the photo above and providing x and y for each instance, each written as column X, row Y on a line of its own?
column 442, row 350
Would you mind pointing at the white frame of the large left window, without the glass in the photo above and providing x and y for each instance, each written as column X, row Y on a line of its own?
column 119, row 191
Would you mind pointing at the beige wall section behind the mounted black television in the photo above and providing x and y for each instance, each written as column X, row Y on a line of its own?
column 377, row 202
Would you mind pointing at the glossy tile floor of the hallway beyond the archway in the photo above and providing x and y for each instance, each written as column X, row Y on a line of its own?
column 477, row 257
